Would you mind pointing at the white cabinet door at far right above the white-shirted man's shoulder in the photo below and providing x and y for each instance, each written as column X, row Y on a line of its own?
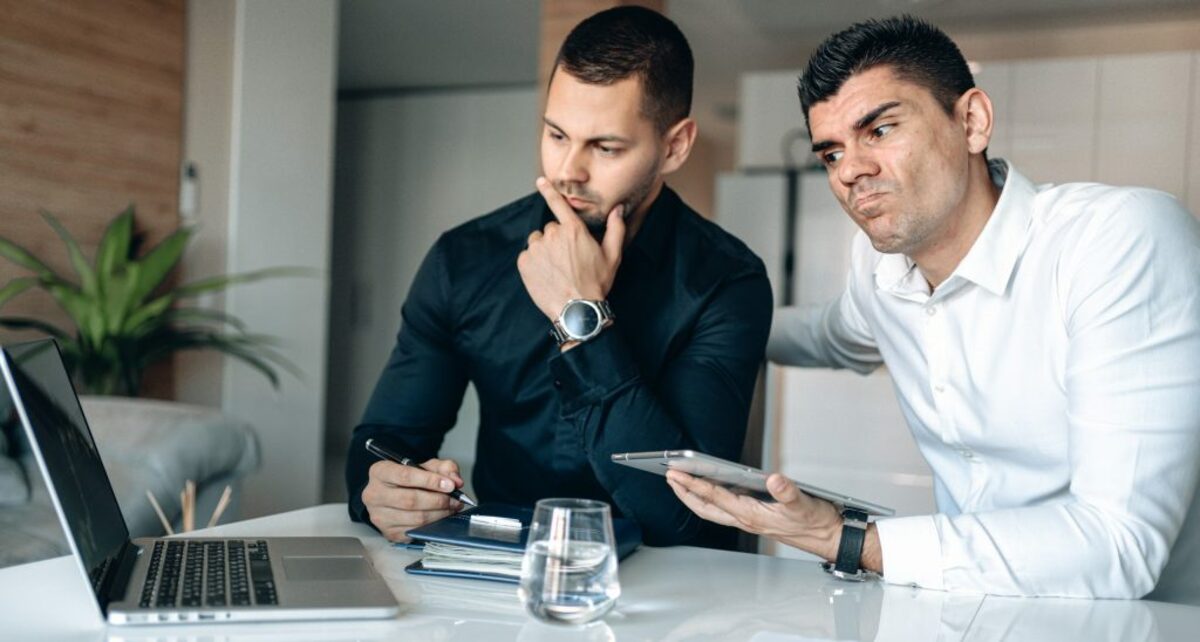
column 1143, row 116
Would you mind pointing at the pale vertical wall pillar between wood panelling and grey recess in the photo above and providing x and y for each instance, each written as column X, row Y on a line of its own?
column 281, row 151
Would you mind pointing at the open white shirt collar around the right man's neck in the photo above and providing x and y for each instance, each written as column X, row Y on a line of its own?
column 994, row 255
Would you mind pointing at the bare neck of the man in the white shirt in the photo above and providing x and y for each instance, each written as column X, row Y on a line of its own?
column 941, row 259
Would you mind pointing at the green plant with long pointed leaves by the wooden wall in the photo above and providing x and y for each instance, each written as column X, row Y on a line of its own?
column 128, row 316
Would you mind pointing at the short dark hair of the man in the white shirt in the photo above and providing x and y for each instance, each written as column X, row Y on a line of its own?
column 916, row 52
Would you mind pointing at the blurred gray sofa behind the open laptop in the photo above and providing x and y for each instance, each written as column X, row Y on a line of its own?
column 146, row 446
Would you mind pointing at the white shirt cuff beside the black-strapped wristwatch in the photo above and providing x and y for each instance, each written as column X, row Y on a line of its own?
column 913, row 551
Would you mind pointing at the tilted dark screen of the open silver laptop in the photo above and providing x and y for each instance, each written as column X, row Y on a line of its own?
column 76, row 473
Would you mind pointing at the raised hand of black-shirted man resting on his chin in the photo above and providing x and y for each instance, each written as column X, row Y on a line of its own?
column 563, row 262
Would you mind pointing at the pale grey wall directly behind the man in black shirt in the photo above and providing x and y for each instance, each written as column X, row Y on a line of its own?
column 411, row 167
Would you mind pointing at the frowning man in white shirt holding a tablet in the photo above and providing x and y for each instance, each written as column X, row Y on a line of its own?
column 1045, row 343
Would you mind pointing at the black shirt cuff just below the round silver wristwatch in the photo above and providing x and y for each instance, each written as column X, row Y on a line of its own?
column 593, row 370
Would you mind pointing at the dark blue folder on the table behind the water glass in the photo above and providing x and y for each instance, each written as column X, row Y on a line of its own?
column 459, row 531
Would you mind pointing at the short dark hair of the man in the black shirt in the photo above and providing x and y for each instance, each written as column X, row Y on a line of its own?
column 626, row 41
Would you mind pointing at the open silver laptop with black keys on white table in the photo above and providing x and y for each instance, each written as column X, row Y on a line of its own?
column 176, row 580
